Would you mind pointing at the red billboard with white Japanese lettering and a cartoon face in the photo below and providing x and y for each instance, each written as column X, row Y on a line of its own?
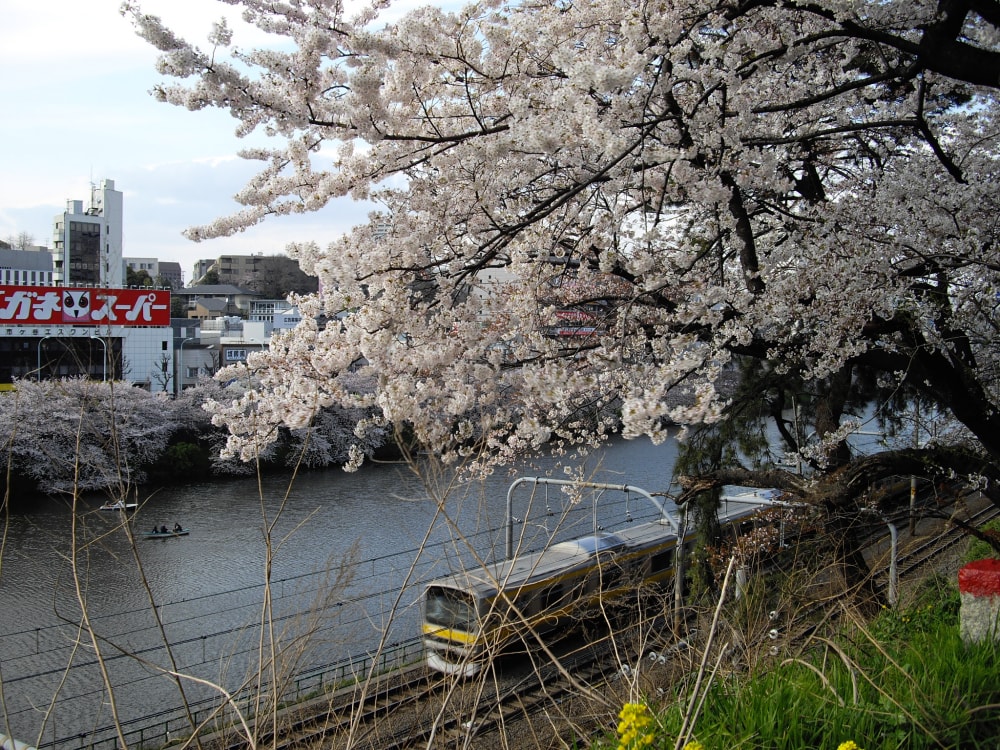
column 85, row 306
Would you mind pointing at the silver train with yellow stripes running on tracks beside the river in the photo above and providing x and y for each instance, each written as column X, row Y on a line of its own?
column 471, row 616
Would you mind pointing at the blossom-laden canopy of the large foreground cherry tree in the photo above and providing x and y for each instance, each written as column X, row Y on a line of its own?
column 807, row 186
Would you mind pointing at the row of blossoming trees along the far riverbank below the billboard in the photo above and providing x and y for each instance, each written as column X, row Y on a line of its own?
column 63, row 436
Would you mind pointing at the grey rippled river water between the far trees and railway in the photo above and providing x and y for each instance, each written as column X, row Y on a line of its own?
column 348, row 556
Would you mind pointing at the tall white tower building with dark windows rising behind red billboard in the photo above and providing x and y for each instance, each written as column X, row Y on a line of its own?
column 87, row 240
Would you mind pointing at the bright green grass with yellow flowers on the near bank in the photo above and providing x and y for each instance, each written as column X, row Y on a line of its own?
column 904, row 679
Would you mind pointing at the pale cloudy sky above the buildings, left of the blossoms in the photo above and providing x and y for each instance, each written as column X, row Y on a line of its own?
column 75, row 86
